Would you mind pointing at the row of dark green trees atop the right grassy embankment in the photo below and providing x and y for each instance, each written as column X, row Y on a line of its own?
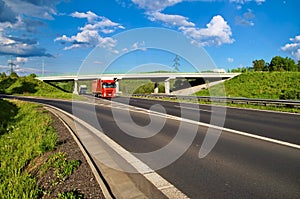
column 277, row 63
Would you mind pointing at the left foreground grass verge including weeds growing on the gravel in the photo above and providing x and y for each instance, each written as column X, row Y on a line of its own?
column 26, row 136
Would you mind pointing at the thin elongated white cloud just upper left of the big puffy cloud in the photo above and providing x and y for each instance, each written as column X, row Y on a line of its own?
column 172, row 20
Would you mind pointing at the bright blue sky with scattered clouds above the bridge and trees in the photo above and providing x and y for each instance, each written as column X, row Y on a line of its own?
column 59, row 34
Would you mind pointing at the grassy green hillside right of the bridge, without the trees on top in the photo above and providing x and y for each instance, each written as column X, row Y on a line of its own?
column 265, row 85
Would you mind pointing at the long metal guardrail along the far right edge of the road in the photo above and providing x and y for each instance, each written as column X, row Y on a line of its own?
column 232, row 100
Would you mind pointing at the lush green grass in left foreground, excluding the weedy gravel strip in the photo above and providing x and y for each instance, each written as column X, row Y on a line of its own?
column 28, row 134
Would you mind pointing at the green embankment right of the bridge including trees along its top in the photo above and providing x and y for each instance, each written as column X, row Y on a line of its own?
column 279, row 79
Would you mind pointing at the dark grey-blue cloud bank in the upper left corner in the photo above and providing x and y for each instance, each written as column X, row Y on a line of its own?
column 17, row 16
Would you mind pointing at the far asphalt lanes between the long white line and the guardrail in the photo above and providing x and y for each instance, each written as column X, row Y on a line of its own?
column 280, row 126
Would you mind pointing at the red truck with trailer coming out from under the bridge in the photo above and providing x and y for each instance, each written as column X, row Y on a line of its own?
column 105, row 88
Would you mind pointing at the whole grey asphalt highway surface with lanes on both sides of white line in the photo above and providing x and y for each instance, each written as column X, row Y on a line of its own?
column 237, row 167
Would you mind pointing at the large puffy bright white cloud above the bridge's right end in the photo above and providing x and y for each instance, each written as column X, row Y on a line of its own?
column 217, row 32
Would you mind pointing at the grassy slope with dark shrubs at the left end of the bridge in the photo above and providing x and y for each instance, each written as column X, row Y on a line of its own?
column 30, row 86
